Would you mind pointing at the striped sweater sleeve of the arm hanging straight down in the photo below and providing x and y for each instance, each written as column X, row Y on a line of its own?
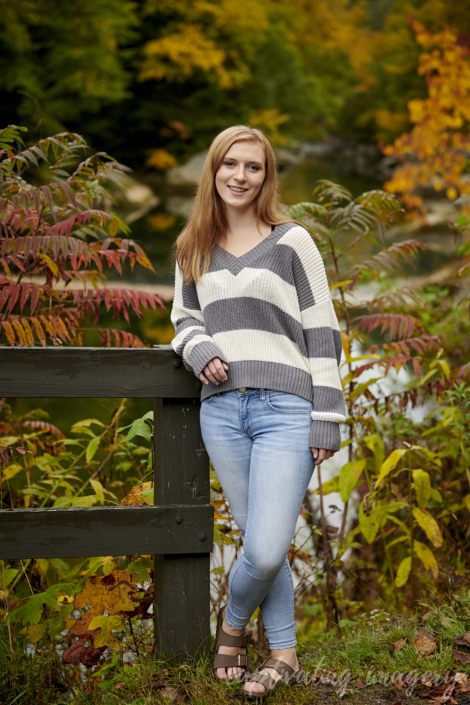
column 323, row 342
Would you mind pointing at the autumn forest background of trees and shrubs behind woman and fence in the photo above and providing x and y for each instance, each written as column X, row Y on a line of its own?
column 151, row 83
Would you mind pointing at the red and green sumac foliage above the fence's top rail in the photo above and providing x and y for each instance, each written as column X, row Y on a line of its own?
column 56, row 245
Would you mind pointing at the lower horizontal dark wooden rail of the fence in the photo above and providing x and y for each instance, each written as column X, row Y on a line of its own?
column 105, row 531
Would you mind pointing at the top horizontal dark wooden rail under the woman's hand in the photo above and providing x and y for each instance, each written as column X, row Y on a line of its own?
column 95, row 372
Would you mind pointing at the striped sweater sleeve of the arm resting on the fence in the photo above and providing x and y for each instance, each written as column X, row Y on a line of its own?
column 191, row 342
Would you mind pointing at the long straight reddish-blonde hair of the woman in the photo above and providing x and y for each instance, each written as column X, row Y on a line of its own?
column 207, row 222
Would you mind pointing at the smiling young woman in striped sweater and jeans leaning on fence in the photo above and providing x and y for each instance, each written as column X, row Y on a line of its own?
column 255, row 323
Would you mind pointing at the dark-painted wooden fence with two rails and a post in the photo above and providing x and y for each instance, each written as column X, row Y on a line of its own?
column 177, row 530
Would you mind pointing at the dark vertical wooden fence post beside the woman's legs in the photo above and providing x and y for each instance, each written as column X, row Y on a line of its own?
column 182, row 583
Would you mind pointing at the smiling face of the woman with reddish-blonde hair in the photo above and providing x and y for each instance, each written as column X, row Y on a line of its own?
column 241, row 174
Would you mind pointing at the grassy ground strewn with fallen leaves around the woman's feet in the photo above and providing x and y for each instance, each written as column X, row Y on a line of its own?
column 360, row 665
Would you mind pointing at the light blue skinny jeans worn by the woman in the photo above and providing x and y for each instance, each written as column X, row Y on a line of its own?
column 258, row 442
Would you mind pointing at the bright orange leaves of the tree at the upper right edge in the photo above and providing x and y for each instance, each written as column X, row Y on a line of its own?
column 435, row 152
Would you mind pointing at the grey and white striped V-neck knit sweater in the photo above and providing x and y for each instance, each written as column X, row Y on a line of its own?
column 268, row 314
